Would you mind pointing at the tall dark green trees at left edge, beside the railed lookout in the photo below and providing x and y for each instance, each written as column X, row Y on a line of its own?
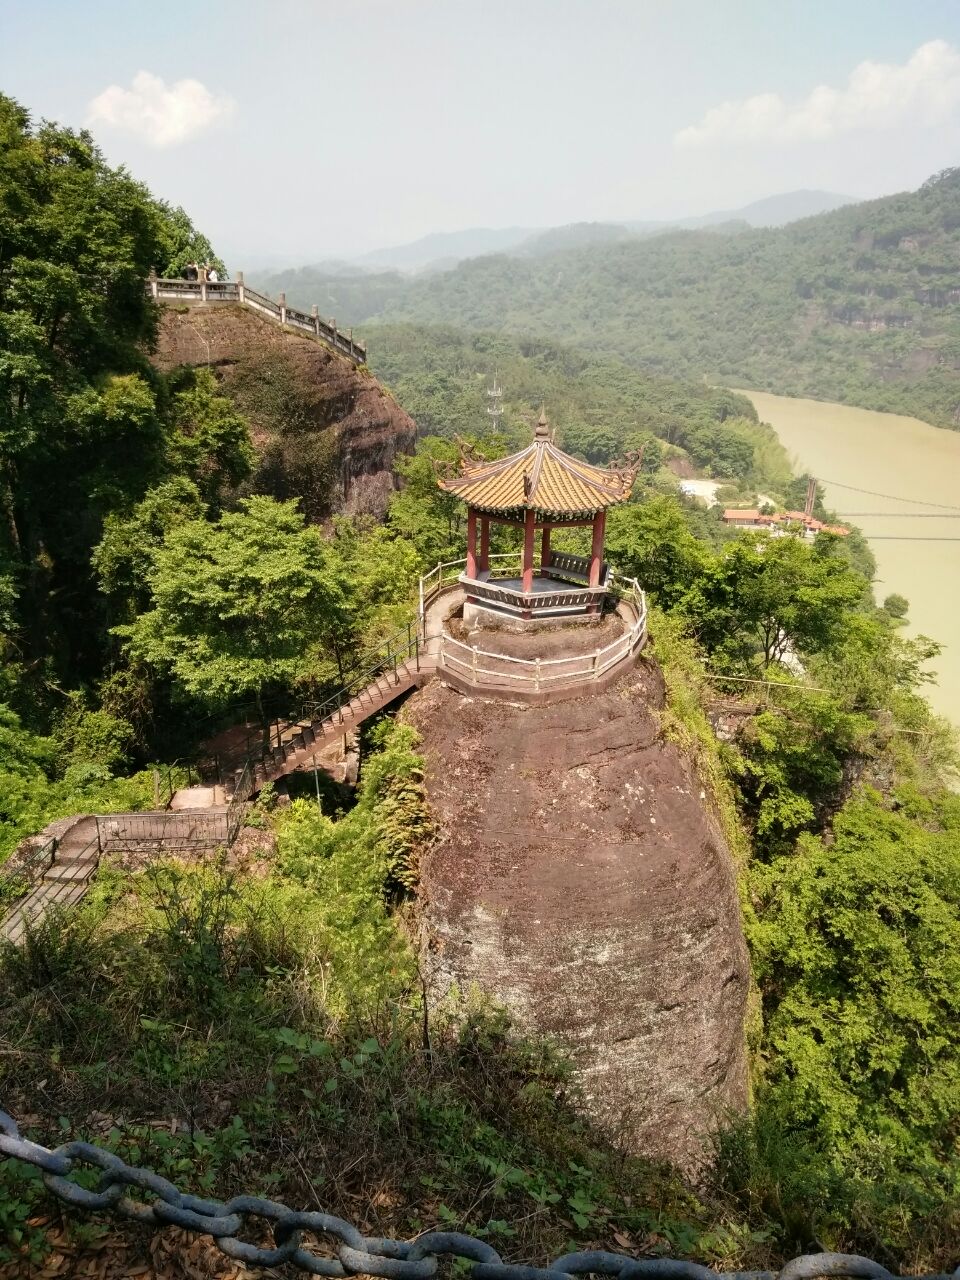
column 83, row 428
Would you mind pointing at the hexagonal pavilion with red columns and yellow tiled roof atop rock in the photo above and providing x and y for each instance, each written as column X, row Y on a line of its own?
column 540, row 490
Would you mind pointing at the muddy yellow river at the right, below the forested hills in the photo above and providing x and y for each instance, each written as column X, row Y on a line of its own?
column 917, row 548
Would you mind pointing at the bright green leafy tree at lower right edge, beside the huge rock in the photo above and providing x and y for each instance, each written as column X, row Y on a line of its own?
column 858, row 959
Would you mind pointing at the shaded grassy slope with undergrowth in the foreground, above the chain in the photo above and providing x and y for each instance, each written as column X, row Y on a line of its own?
column 202, row 1017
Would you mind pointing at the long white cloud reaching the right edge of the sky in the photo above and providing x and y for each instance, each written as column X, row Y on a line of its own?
column 926, row 90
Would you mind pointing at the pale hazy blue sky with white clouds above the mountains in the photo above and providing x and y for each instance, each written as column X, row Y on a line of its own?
column 301, row 130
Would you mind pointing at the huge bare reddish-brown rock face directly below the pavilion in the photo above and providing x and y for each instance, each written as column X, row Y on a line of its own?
column 583, row 883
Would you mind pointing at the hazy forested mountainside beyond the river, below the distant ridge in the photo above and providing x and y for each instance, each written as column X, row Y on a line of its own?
column 858, row 305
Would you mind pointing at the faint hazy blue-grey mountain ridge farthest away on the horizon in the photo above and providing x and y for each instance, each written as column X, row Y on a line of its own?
column 444, row 250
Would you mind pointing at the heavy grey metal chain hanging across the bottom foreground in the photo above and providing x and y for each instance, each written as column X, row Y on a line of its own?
column 164, row 1205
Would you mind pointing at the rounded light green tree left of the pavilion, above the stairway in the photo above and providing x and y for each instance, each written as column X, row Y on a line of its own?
column 237, row 604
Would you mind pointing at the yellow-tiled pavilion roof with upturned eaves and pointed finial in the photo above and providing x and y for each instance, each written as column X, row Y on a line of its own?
column 541, row 478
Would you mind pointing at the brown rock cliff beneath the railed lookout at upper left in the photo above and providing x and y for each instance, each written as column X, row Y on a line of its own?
column 324, row 431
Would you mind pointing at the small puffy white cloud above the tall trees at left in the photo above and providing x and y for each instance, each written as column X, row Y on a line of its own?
column 159, row 115
